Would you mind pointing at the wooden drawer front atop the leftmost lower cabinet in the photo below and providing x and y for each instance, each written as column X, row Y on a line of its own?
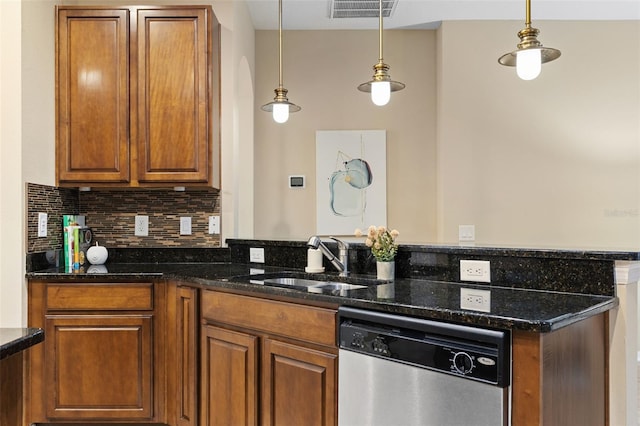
column 100, row 296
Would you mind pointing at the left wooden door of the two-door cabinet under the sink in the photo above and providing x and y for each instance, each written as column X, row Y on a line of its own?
column 229, row 377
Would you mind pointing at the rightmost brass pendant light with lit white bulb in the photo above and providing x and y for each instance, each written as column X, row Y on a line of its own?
column 530, row 56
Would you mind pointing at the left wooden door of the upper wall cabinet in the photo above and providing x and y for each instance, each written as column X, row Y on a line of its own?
column 92, row 74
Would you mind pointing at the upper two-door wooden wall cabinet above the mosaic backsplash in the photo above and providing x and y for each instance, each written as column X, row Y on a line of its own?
column 137, row 96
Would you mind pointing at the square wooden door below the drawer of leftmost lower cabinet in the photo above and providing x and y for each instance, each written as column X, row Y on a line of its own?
column 99, row 367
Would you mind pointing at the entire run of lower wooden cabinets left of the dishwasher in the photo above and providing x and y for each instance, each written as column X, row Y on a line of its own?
column 169, row 353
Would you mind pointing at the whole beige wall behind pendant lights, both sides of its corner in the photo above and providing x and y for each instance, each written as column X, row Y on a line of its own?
column 553, row 162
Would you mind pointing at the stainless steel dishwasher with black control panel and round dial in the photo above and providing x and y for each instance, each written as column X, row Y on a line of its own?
column 400, row 371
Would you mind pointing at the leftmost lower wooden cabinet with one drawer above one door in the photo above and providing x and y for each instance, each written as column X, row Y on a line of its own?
column 102, row 358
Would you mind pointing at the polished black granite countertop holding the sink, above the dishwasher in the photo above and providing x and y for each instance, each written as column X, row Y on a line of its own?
column 511, row 308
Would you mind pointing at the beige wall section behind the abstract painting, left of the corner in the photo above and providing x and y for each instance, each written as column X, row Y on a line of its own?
column 322, row 70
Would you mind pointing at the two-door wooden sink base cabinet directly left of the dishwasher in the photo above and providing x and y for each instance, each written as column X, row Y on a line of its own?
column 267, row 362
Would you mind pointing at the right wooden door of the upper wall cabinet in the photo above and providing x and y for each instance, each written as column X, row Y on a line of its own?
column 171, row 114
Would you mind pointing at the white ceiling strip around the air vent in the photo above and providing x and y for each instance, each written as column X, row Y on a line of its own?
column 314, row 14
